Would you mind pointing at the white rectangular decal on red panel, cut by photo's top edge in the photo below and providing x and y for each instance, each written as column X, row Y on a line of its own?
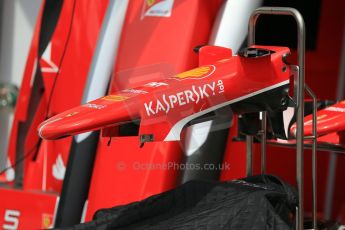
column 157, row 8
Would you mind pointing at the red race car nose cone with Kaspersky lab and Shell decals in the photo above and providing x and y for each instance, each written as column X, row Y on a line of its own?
column 165, row 107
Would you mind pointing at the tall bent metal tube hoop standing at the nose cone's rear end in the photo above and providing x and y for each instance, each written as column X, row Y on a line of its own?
column 300, row 93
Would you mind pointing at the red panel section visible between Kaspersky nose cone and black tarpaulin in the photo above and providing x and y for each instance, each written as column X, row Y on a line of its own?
column 124, row 172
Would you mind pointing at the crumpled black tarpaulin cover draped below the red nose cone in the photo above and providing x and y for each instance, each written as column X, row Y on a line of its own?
column 259, row 202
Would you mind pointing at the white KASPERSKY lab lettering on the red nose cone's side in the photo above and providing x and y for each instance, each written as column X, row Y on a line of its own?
column 193, row 95
